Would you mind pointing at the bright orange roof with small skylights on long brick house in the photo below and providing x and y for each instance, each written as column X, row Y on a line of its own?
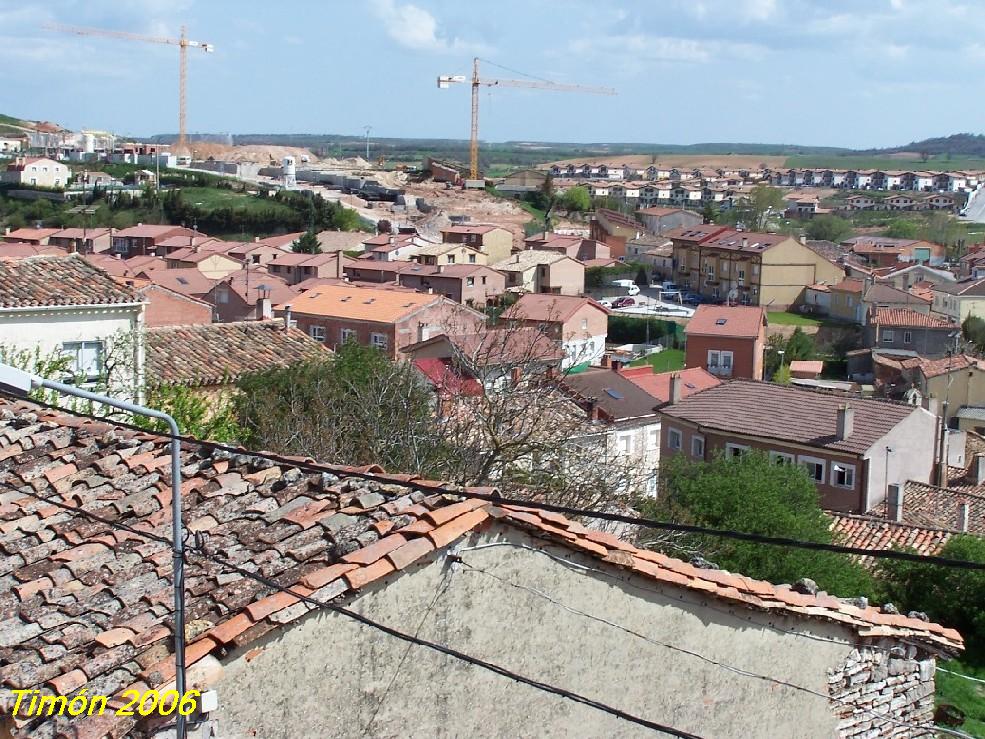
column 360, row 303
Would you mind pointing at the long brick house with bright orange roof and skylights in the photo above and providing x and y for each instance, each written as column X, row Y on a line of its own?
column 386, row 319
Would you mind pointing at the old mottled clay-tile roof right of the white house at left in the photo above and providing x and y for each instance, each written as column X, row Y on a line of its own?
column 219, row 353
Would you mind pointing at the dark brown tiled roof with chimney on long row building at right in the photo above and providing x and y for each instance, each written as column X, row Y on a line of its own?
column 770, row 411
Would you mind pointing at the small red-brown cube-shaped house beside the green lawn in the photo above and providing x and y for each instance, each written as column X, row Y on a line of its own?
column 727, row 340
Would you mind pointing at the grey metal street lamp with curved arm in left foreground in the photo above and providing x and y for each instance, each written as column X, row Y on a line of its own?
column 22, row 383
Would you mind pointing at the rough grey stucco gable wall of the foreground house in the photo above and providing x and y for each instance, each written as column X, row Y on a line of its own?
column 329, row 677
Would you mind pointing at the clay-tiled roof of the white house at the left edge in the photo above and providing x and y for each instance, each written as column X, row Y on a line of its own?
column 58, row 280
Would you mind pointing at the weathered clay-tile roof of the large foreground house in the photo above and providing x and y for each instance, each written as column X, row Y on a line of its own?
column 87, row 605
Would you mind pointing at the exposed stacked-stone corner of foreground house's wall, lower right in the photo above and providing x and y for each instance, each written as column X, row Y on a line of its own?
column 894, row 681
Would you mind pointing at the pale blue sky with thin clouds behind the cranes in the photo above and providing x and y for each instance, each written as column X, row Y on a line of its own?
column 853, row 73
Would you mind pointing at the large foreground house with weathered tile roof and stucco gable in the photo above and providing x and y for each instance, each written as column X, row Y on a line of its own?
column 269, row 528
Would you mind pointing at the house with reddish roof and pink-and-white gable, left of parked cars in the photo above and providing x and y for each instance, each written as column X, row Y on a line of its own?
column 579, row 325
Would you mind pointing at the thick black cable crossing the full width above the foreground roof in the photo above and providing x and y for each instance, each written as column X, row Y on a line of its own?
column 551, row 507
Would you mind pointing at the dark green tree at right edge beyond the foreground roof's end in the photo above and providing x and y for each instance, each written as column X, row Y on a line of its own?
column 949, row 596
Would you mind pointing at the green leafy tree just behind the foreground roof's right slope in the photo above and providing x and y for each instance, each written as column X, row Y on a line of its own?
column 756, row 495
